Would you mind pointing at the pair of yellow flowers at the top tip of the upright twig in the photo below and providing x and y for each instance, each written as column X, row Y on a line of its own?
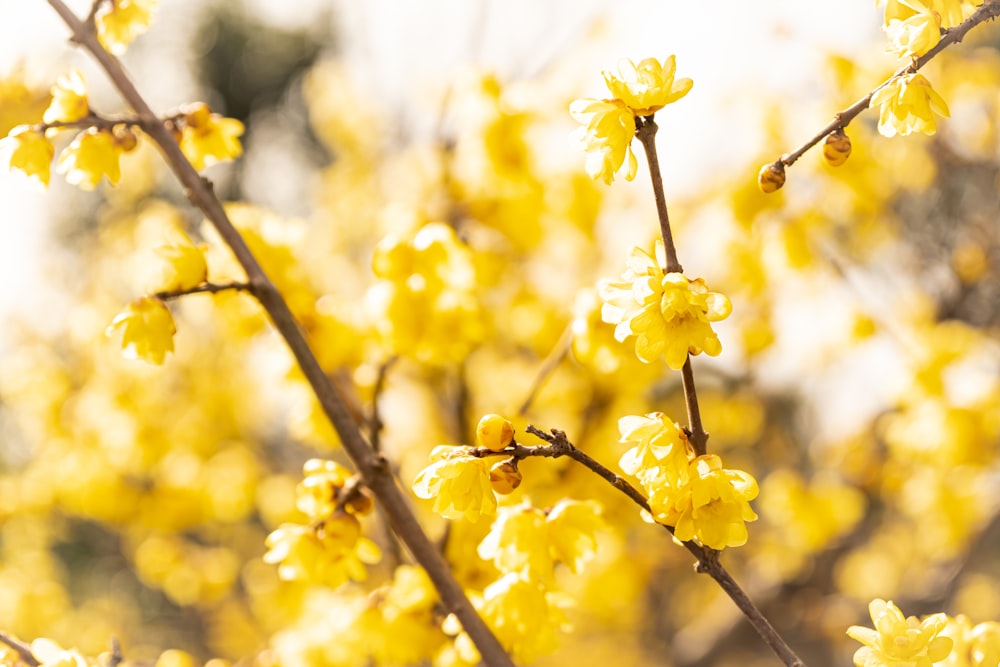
column 610, row 124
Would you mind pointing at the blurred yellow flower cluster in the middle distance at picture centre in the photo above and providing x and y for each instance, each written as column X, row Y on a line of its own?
column 424, row 303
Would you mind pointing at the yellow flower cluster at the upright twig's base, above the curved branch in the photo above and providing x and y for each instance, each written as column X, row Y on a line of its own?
column 695, row 495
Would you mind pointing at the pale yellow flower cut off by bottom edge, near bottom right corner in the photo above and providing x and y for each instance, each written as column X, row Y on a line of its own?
column 900, row 642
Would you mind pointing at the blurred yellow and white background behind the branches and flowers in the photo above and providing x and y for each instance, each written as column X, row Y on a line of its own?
column 858, row 382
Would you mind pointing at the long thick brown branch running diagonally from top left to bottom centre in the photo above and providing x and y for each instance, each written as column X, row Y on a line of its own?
column 373, row 468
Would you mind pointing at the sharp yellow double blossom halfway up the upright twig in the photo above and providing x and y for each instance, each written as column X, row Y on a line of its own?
column 669, row 314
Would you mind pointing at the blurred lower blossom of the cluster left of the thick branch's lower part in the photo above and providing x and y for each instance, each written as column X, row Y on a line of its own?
column 330, row 552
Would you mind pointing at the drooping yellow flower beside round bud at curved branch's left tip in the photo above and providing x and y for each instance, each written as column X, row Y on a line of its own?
column 458, row 483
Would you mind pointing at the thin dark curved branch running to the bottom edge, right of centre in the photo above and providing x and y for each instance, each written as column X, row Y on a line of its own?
column 708, row 559
